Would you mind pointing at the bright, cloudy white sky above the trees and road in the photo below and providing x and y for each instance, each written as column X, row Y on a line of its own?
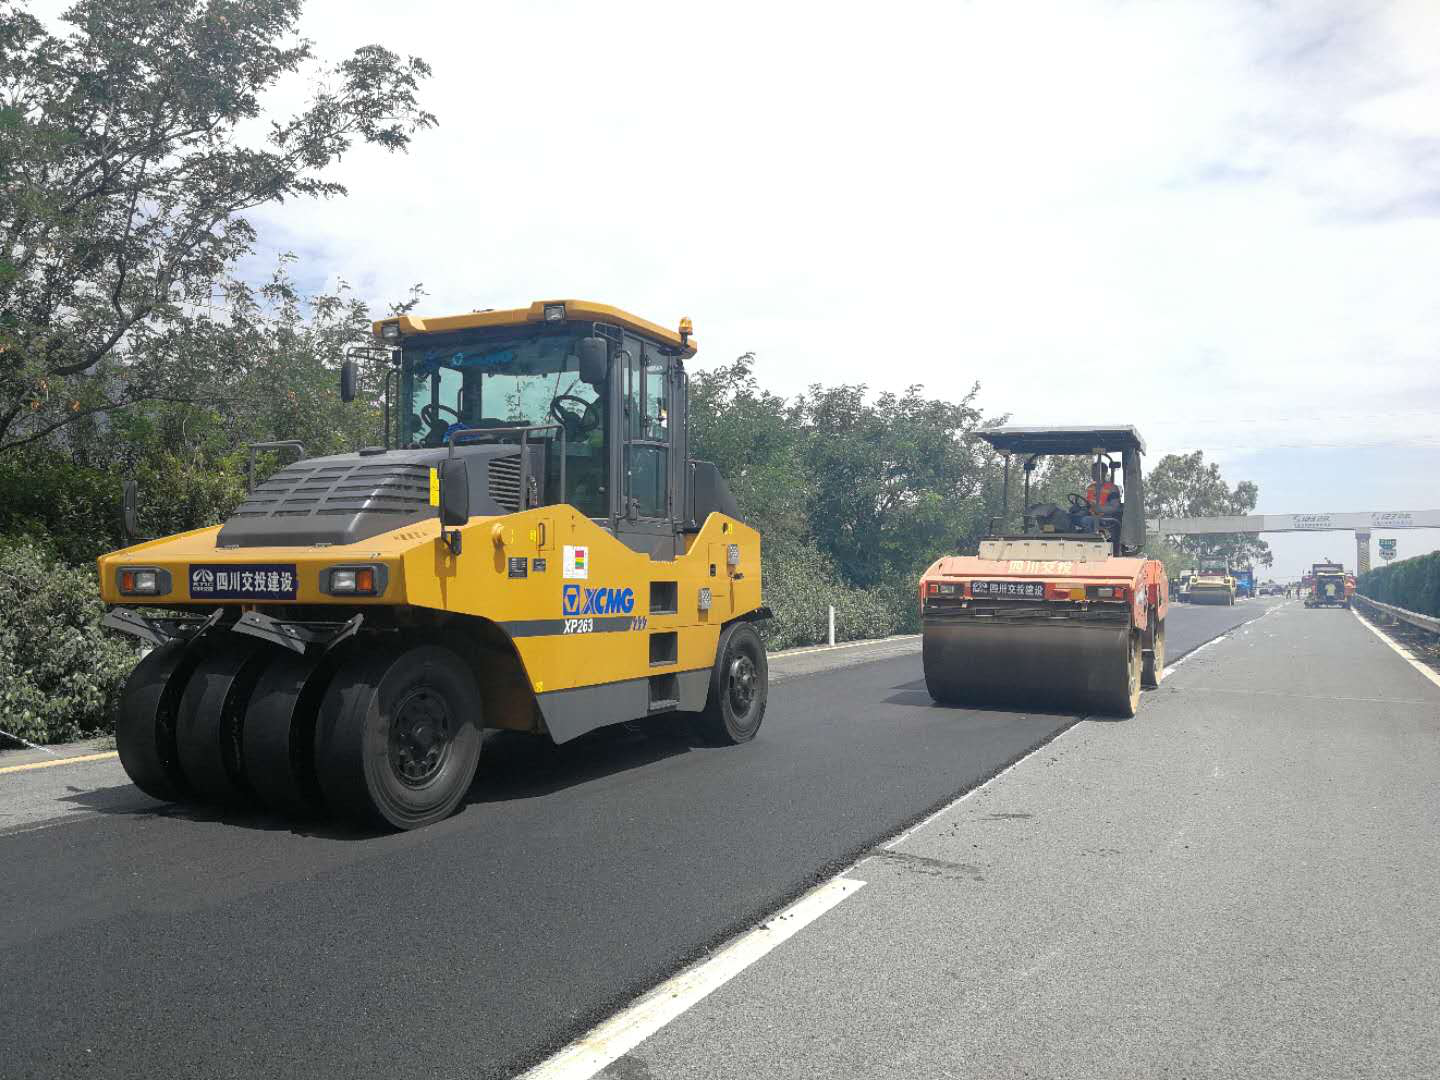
column 1216, row 221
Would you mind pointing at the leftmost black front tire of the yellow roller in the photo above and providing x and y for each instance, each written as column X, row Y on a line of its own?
column 146, row 722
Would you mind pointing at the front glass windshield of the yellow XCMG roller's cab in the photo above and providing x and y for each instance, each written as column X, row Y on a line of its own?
column 509, row 379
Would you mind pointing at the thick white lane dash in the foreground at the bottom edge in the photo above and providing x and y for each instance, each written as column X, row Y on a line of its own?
column 627, row 1030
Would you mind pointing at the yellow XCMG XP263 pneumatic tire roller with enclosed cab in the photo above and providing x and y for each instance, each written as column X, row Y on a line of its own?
column 532, row 551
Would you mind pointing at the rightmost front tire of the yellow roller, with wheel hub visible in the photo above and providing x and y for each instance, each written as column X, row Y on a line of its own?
column 359, row 735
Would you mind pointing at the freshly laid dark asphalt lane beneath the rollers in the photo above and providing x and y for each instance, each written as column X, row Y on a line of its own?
column 143, row 940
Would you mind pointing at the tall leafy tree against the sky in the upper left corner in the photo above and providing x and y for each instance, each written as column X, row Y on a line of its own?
column 127, row 172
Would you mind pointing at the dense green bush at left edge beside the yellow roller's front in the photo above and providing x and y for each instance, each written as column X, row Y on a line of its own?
column 60, row 673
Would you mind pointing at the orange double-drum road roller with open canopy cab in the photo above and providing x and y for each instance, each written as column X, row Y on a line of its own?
column 1065, row 611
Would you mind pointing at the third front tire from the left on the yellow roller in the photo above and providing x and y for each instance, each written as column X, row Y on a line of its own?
column 279, row 738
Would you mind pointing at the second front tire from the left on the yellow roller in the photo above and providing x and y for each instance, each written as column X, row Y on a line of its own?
column 212, row 718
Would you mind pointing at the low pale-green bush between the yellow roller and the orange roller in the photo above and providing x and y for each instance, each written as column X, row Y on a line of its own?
column 800, row 587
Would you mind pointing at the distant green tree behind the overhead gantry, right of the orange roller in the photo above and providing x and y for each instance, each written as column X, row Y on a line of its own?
column 1187, row 486
